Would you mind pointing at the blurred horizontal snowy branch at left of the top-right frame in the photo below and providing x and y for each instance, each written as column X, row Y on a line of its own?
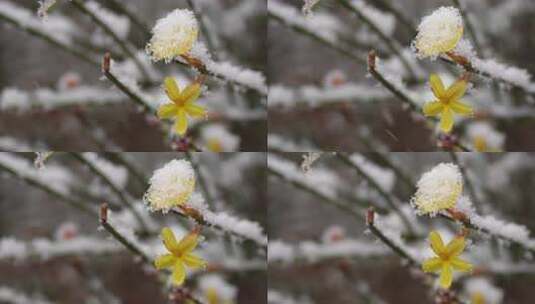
column 312, row 96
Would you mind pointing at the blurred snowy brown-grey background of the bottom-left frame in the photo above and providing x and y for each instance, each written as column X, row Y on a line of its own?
column 72, row 260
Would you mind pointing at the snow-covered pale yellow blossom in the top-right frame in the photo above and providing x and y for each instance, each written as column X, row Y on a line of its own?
column 439, row 32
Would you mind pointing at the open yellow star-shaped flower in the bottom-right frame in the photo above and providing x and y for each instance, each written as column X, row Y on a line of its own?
column 447, row 258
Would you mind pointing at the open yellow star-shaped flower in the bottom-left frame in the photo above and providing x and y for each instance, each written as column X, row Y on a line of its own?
column 179, row 255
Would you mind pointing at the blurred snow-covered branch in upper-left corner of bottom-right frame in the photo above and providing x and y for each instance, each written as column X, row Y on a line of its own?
column 320, row 179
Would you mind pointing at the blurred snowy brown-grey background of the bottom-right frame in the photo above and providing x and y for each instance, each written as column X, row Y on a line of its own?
column 323, row 254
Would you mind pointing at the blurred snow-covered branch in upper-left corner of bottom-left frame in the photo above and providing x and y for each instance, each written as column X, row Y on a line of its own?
column 53, row 176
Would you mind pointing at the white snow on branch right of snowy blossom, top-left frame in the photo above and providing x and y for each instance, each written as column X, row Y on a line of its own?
column 228, row 71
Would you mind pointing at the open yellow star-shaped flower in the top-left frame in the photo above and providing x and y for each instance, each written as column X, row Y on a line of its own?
column 182, row 104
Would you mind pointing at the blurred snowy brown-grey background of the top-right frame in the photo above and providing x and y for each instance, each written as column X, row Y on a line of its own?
column 308, row 105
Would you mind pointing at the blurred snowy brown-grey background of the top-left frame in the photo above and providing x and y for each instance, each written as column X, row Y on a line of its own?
column 70, row 122
